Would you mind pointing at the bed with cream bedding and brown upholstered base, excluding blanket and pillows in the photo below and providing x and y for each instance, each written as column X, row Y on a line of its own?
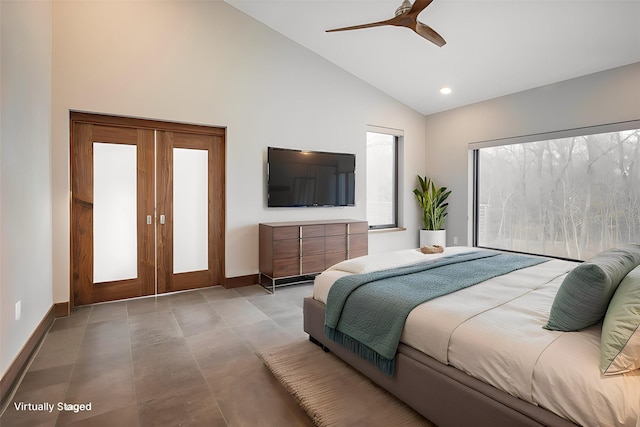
column 481, row 355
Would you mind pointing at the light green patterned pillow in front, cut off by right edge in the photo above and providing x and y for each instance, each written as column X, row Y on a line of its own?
column 620, row 343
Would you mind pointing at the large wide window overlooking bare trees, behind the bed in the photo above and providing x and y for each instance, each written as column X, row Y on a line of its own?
column 568, row 194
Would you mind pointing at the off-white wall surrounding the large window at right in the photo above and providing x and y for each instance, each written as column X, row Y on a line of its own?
column 605, row 97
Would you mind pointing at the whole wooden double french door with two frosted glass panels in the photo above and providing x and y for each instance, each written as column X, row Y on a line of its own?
column 147, row 207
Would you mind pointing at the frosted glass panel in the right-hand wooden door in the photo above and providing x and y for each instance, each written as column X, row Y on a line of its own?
column 190, row 210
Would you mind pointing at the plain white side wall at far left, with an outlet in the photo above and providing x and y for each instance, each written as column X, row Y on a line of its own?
column 25, row 183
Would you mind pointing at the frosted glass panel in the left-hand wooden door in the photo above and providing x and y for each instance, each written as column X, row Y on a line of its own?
column 115, row 243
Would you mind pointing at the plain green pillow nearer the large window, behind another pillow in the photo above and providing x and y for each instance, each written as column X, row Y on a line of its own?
column 584, row 295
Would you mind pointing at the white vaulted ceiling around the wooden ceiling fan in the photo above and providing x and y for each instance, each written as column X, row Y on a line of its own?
column 493, row 47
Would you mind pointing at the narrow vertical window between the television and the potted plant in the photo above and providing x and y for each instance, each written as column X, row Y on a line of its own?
column 382, row 178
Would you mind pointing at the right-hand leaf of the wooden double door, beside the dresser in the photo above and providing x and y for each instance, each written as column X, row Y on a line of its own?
column 188, row 273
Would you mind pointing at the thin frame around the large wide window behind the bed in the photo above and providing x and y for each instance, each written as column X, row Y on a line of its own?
column 475, row 147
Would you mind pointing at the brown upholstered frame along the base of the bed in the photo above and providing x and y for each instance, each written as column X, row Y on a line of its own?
column 441, row 393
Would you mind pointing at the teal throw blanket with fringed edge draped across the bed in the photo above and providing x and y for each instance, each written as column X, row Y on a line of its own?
column 366, row 312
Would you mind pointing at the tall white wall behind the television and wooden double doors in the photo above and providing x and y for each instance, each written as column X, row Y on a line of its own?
column 207, row 63
